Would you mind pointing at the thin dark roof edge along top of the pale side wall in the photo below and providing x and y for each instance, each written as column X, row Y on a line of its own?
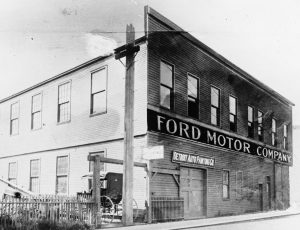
column 76, row 68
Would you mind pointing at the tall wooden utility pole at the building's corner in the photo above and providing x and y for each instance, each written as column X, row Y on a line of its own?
column 127, row 217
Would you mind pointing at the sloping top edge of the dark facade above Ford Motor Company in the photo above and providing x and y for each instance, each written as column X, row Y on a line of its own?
column 241, row 73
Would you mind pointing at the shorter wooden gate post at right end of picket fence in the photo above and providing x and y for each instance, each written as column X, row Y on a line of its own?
column 97, row 191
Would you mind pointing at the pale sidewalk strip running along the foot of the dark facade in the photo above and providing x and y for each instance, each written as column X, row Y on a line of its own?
column 210, row 221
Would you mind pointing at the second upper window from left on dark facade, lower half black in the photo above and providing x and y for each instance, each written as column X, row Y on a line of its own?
column 193, row 97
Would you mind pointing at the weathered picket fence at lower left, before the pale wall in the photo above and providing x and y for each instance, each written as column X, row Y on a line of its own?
column 54, row 208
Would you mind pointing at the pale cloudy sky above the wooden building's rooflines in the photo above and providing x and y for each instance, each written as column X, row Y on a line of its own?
column 39, row 39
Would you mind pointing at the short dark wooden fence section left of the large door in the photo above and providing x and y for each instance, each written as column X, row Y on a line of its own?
column 165, row 209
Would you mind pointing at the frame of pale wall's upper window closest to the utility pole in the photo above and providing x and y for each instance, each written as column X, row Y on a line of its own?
column 92, row 113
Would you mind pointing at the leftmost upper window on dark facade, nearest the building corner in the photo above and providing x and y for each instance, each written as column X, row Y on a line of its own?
column 166, row 85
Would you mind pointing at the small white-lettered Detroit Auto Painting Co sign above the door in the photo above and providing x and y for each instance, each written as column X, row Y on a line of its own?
column 192, row 159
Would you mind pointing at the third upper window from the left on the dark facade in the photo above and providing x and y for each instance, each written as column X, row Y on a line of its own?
column 215, row 106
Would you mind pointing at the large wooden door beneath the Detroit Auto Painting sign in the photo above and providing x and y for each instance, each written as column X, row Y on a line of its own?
column 193, row 192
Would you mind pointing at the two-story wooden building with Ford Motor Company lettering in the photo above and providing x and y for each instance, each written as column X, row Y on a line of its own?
column 227, row 137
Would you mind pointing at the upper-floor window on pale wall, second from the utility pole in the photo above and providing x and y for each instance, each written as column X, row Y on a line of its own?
column 64, row 108
